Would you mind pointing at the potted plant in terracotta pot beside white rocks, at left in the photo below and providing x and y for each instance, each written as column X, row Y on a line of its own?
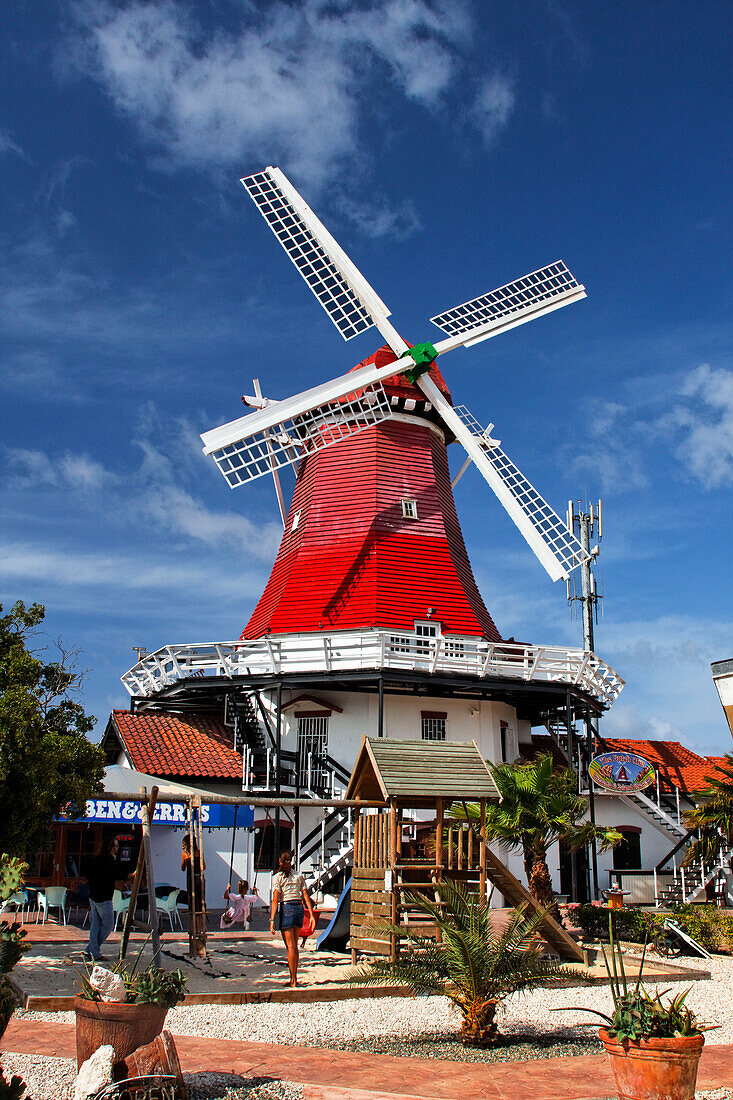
column 127, row 1025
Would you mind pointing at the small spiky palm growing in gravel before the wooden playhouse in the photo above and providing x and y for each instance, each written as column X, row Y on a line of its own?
column 472, row 963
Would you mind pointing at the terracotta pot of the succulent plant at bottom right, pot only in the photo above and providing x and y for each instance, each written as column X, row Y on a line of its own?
column 654, row 1069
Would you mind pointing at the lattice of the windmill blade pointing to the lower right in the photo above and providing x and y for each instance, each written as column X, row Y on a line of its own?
column 554, row 533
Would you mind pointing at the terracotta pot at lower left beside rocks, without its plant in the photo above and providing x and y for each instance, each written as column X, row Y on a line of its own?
column 124, row 1027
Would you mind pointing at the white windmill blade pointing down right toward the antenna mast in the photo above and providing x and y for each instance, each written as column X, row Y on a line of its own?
column 557, row 549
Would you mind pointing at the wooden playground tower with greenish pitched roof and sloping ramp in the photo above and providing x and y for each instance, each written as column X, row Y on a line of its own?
column 388, row 867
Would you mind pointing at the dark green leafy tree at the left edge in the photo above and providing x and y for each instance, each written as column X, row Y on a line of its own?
column 48, row 766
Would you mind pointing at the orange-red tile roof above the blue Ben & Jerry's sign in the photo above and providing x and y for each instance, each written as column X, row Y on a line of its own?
column 178, row 747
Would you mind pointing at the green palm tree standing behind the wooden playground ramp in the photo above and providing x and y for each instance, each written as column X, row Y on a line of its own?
column 540, row 806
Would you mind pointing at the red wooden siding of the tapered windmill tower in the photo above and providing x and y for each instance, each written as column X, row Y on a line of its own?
column 354, row 562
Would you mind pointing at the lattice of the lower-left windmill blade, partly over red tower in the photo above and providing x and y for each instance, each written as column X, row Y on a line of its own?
column 268, row 449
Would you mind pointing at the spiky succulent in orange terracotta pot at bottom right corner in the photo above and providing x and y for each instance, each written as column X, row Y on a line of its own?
column 654, row 1048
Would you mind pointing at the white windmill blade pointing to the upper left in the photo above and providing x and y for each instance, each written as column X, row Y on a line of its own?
column 340, row 287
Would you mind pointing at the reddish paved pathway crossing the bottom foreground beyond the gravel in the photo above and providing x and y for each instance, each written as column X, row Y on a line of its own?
column 337, row 1075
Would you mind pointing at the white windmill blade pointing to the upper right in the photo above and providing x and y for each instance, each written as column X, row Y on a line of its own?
column 508, row 306
